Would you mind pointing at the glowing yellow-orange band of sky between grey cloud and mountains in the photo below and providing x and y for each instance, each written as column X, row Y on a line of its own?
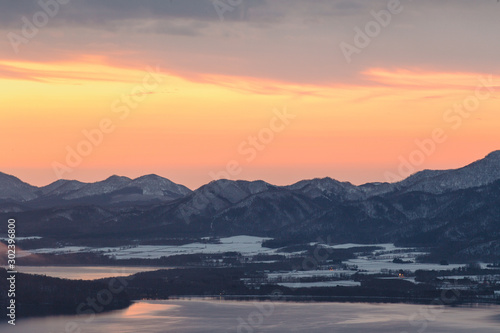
column 185, row 127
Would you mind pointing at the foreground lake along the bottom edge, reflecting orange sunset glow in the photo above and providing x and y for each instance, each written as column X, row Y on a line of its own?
column 201, row 316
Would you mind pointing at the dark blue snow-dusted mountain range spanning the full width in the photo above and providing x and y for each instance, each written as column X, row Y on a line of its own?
column 456, row 212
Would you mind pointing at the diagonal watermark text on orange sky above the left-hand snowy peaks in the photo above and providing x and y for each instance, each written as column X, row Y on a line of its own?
column 94, row 137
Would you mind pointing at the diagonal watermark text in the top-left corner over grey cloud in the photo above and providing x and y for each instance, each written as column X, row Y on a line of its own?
column 30, row 27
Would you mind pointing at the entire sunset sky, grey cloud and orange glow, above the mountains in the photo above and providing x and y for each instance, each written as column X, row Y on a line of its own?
column 197, row 90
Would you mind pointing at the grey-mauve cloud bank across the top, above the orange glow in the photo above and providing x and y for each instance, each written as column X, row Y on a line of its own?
column 294, row 41
